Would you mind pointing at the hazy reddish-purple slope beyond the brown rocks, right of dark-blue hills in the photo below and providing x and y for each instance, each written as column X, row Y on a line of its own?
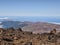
column 40, row 27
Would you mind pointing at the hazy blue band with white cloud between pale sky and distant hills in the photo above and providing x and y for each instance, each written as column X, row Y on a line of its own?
column 31, row 19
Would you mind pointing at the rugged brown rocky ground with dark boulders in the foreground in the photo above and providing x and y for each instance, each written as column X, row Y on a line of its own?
column 13, row 36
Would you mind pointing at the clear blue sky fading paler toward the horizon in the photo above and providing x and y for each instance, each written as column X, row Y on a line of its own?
column 29, row 8
